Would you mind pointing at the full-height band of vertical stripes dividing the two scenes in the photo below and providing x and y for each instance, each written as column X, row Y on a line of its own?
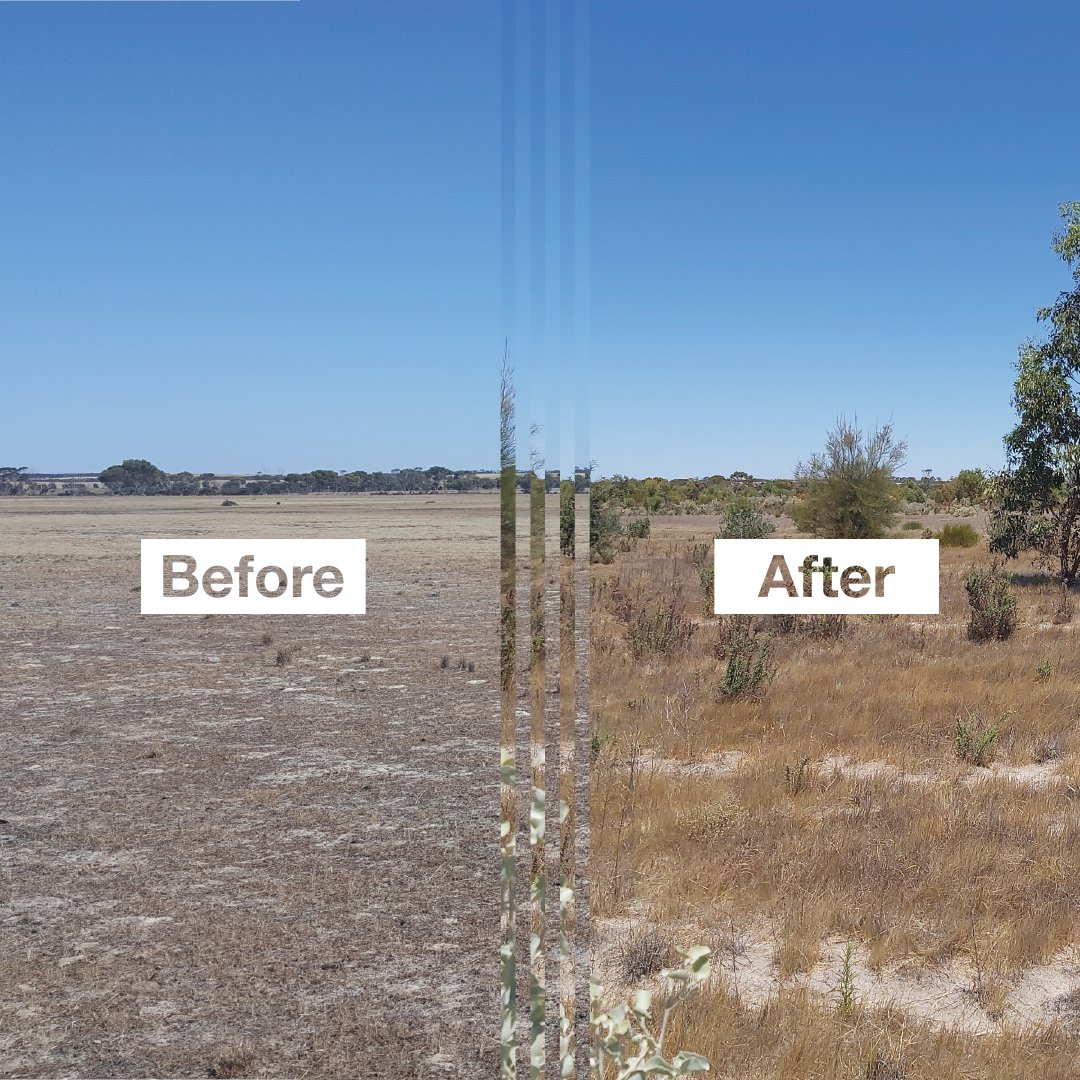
column 544, row 285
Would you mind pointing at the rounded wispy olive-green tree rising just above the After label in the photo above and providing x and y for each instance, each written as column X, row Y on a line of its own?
column 850, row 492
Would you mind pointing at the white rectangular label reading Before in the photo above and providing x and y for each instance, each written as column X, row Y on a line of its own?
column 254, row 577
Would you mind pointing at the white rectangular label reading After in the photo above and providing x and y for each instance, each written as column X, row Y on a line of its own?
column 827, row 577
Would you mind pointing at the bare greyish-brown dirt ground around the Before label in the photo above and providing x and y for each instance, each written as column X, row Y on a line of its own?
column 242, row 846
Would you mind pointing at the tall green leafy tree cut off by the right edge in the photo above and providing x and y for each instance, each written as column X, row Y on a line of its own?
column 1036, row 499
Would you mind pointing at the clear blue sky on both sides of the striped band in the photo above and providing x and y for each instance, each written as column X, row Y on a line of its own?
column 267, row 236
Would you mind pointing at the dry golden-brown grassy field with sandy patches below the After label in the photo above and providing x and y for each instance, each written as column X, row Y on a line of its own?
column 880, row 906
